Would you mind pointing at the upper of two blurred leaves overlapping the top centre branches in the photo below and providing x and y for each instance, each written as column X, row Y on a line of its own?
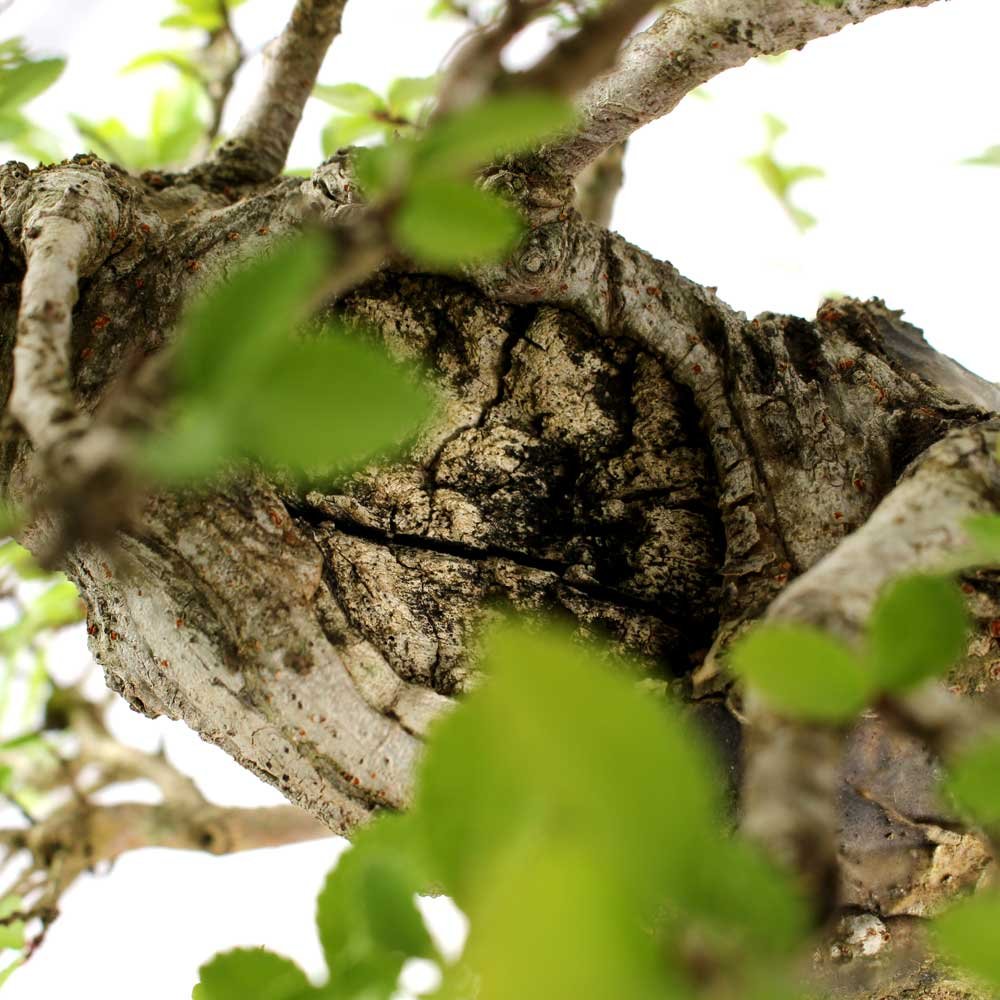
column 501, row 126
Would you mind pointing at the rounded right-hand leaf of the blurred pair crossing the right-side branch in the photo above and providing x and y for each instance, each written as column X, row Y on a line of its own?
column 918, row 629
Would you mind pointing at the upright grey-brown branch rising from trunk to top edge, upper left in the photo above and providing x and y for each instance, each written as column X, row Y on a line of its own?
column 258, row 149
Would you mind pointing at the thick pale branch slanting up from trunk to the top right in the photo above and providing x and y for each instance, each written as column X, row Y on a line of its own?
column 689, row 44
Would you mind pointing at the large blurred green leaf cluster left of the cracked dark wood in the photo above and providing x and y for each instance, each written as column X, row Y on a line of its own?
column 251, row 389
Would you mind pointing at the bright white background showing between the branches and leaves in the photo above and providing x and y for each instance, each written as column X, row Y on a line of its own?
column 888, row 109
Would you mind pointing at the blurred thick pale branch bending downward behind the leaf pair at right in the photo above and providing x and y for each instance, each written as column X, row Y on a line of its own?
column 793, row 769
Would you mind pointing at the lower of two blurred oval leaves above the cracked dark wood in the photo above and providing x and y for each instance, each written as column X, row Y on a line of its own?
column 445, row 223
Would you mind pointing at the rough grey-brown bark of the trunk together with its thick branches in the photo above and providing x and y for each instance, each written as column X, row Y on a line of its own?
column 614, row 444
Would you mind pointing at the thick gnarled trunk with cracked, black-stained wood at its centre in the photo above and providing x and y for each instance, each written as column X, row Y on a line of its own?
column 614, row 445
